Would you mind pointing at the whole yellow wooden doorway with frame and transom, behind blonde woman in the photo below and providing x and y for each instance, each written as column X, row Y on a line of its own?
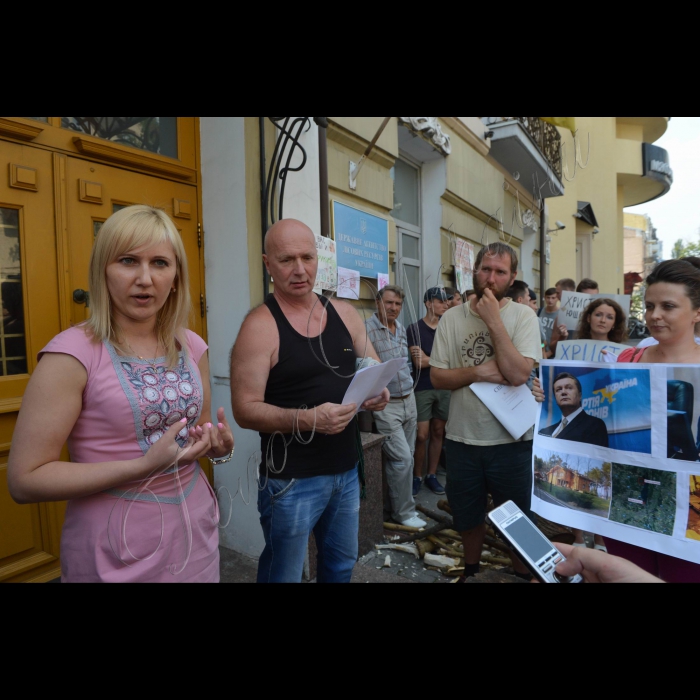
column 57, row 191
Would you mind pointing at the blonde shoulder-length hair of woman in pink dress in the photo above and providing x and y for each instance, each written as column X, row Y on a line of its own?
column 128, row 230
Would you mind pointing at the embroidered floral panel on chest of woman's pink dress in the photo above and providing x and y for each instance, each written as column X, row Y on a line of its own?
column 159, row 397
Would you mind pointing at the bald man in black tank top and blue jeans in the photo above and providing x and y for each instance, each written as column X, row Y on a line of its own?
column 300, row 350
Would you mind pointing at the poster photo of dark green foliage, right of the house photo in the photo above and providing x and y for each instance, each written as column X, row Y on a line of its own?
column 644, row 498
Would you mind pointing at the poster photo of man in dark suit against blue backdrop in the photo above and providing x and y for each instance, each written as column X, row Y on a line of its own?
column 605, row 407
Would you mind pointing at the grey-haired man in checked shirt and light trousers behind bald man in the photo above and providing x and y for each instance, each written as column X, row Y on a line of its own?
column 400, row 419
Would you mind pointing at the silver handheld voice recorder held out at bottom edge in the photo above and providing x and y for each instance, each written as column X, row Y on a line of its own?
column 532, row 547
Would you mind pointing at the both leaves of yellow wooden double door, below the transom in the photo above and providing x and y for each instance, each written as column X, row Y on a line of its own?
column 51, row 207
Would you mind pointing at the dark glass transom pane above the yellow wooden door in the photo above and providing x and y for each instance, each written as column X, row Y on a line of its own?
column 154, row 134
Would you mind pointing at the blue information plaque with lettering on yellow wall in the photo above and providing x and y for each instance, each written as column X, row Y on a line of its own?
column 362, row 240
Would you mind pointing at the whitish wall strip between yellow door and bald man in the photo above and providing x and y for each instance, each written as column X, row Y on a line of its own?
column 228, row 299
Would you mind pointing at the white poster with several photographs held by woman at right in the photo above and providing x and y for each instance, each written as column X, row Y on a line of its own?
column 617, row 453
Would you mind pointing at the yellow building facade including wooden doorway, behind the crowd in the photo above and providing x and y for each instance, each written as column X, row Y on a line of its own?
column 440, row 182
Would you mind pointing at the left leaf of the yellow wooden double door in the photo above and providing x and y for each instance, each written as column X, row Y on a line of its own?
column 29, row 535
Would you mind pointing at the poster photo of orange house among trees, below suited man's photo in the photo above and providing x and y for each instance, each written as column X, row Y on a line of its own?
column 574, row 482
